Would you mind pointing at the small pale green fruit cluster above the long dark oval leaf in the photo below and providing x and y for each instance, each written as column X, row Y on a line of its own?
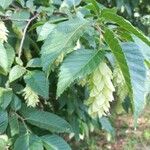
column 30, row 96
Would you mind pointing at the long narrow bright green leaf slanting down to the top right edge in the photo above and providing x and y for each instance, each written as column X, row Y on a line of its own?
column 107, row 14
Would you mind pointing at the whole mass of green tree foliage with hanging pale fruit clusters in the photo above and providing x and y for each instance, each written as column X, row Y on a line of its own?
column 57, row 60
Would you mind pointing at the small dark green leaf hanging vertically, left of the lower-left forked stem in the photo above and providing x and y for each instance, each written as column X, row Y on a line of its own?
column 14, row 125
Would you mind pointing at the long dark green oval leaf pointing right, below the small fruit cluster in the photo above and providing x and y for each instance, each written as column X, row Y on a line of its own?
column 45, row 120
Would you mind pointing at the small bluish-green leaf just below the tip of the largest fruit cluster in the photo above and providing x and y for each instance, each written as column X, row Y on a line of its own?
column 106, row 125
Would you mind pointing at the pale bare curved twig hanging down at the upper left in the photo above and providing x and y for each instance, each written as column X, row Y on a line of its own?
column 24, row 34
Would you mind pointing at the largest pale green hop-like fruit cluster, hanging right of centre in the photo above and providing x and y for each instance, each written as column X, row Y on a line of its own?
column 101, row 91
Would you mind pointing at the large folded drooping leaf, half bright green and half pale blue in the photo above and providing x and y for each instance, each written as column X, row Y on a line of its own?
column 131, row 63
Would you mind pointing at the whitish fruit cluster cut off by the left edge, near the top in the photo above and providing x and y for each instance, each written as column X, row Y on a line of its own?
column 3, row 32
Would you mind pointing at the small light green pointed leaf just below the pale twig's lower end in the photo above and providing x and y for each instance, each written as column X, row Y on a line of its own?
column 16, row 72
